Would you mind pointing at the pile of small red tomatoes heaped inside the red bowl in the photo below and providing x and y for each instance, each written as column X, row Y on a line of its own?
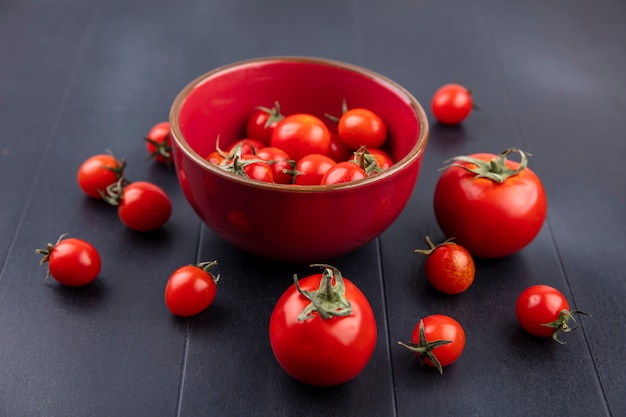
column 301, row 149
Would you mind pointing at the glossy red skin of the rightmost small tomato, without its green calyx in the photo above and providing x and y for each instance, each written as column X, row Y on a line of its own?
column 538, row 305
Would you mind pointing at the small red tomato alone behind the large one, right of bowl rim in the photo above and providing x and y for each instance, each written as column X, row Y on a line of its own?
column 452, row 103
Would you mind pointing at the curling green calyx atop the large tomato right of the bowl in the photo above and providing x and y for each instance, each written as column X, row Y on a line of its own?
column 495, row 169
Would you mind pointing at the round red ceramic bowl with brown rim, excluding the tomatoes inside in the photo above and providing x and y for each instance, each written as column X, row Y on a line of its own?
column 290, row 222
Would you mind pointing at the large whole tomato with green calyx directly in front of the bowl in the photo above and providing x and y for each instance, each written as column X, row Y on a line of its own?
column 327, row 345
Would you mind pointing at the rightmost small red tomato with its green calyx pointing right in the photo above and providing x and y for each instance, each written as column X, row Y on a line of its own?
column 544, row 311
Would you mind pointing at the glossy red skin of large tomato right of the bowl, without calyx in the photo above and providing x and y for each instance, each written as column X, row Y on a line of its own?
column 490, row 219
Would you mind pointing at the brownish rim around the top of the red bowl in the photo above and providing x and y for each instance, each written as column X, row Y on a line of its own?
column 410, row 157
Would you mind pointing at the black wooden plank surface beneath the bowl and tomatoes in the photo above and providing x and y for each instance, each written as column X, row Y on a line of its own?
column 78, row 77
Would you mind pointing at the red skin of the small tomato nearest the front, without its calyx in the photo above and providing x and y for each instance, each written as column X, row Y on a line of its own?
column 442, row 327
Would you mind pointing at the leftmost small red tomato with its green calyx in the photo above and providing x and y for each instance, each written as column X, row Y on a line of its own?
column 72, row 262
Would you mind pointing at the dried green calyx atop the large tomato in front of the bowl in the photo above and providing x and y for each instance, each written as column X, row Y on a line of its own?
column 329, row 300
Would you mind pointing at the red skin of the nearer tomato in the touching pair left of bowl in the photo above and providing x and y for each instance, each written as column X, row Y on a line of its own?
column 144, row 206
